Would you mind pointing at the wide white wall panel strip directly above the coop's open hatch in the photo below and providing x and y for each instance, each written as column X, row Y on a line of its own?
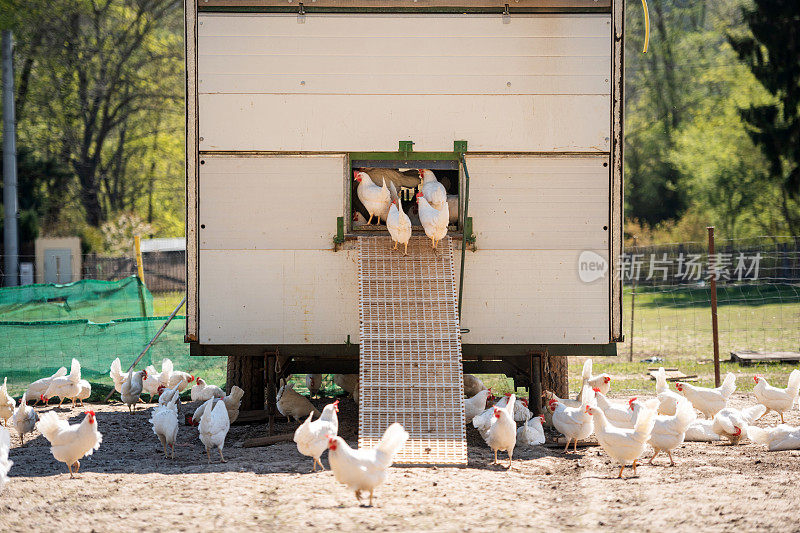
column 543, row 123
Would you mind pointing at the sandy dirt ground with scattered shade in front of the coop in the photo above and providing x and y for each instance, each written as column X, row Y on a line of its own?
column 128, row 485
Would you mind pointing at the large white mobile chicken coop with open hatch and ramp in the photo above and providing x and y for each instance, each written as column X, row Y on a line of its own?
column 515, row 105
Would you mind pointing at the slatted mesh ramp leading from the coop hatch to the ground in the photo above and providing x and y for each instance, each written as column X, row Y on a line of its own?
column 410, row 366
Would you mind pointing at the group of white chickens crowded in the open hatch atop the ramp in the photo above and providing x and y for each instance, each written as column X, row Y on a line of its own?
column 383, row 203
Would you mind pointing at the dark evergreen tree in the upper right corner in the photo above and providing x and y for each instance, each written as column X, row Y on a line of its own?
column 772, row 52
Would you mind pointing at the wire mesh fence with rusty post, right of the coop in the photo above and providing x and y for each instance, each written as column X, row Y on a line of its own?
column 667, row 297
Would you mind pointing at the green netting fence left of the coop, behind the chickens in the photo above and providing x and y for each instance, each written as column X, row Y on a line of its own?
column 42, row 327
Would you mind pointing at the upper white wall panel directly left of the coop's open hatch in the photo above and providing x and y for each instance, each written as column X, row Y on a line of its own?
column 273, row 202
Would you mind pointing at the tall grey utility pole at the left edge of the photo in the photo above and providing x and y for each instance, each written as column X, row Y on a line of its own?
column 10, row 205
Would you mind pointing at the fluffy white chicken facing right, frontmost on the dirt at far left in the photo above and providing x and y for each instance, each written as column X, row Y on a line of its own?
column 70, row 443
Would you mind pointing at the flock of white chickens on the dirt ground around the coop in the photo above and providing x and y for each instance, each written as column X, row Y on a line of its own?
column 623, row 429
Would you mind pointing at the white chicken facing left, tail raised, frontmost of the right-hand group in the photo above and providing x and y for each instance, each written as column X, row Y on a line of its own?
column 622, row 444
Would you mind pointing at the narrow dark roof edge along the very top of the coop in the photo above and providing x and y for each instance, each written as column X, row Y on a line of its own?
column 420, row 6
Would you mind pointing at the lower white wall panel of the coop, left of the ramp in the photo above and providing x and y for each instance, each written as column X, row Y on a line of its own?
column 278, row 296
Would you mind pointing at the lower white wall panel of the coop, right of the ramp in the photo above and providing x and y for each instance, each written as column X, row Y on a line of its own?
column 532, row 297
